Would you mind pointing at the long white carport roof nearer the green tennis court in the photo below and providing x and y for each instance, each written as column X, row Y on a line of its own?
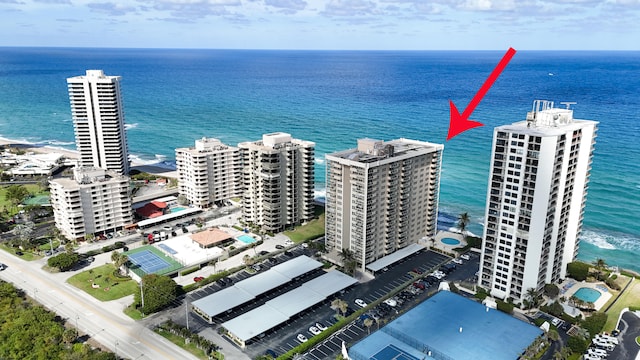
column 249, row 289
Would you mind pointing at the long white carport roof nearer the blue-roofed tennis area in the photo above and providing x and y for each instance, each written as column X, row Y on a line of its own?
column 284, row 307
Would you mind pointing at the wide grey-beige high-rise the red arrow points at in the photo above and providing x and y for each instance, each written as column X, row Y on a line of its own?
column 381, row 197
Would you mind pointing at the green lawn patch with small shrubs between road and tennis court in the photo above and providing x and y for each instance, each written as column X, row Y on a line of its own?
column 111, row 288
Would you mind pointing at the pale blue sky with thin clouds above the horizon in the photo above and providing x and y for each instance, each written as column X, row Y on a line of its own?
column 324, row 24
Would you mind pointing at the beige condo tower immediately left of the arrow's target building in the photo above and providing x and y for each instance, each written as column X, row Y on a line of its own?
column 278, row 178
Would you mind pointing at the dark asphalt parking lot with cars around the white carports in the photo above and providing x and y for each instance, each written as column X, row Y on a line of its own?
column 285, row 337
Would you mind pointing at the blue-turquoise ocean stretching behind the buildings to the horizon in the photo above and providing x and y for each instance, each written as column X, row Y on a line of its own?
column 173, row 97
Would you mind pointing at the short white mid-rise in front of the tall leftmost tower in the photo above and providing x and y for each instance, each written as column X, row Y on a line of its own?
column 93, row 202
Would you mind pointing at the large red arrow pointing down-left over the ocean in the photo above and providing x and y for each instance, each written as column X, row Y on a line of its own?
column 461, row 123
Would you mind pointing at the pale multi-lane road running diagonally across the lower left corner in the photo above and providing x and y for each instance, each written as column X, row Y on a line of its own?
column 104, row 322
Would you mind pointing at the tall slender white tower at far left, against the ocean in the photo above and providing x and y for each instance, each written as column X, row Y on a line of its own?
column 98, row 118
